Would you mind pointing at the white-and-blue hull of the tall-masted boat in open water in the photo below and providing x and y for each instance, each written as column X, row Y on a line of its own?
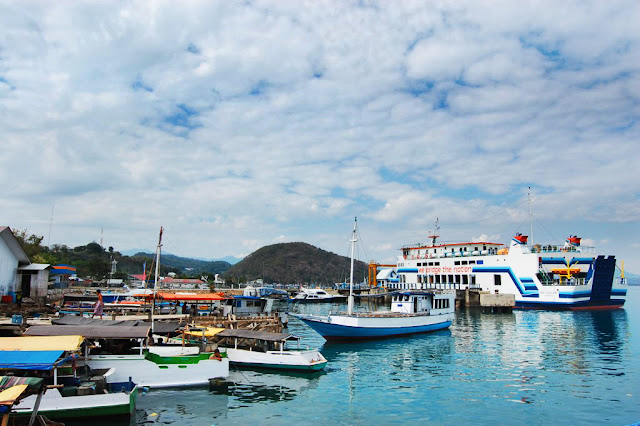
column 332, row 328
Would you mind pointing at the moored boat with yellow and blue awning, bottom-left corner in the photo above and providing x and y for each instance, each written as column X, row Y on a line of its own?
column 69, row 395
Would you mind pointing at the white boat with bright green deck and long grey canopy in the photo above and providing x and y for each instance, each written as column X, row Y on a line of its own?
column 151, row 366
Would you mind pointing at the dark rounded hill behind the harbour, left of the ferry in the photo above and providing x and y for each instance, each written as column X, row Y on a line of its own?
column 299, row 263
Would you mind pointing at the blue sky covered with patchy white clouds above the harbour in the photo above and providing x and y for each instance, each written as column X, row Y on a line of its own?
column 239, row 124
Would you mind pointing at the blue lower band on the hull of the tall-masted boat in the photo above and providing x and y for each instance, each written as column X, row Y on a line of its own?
column 333, row 331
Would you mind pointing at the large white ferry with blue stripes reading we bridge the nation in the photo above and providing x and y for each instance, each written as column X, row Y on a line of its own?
column 568, row 276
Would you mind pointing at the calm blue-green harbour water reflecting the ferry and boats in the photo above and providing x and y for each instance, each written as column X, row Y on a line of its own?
column 526, row 367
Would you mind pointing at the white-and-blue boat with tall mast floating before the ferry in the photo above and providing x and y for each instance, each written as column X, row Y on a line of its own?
column 411, row 312
